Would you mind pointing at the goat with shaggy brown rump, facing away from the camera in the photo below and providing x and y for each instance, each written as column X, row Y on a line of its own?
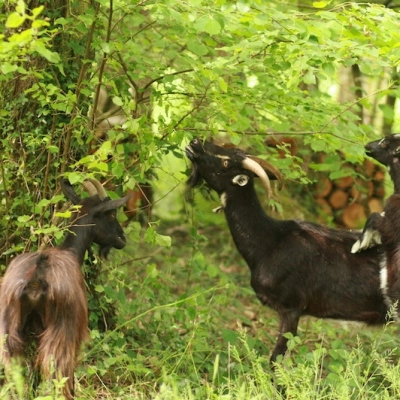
column 42, row 295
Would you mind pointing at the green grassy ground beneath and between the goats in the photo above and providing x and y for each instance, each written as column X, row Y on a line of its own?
column 188, row 326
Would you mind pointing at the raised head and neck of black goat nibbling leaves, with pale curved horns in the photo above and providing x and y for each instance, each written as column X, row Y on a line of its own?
column 230, row 172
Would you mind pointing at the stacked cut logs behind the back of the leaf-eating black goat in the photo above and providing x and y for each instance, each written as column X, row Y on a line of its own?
column 346, row 201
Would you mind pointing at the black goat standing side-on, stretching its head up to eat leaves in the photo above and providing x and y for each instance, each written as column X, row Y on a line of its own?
column 297, row 268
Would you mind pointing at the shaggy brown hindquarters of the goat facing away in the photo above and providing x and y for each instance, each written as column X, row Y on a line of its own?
column 43, row 299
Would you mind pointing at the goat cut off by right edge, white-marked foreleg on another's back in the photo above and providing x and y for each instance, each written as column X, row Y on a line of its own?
column 384, row 228
